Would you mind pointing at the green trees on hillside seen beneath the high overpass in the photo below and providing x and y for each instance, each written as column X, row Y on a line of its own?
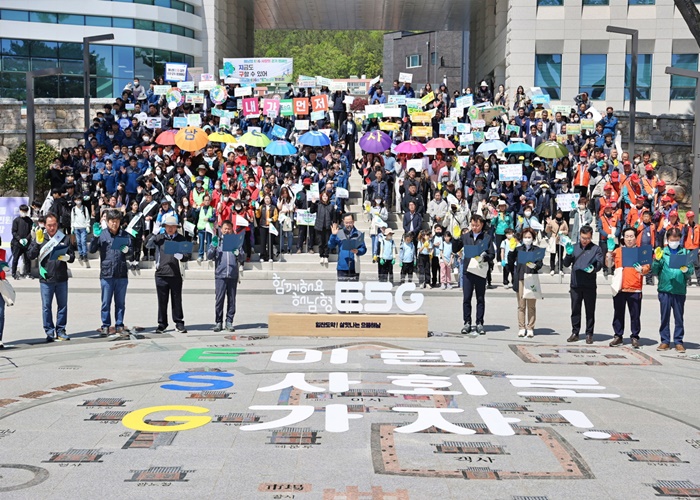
column 331, row 54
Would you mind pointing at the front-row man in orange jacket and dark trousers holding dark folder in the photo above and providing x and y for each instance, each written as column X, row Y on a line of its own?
column 629, row 295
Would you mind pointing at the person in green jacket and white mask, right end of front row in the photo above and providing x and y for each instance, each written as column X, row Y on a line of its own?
column 673, row 269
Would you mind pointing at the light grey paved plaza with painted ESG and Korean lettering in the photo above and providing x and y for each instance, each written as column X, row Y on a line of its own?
column 67, row 429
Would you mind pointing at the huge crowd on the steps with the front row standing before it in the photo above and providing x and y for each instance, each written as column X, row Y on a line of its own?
column 125, row 196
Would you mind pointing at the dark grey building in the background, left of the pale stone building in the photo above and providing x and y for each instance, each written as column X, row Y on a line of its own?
column 431, row 56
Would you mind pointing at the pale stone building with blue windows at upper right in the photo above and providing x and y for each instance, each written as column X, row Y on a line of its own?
column 563, row 47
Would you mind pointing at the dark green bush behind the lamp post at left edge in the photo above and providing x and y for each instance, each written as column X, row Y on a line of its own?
column 13, row 174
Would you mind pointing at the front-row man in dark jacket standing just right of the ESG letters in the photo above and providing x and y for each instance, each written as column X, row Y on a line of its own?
column 474, row 278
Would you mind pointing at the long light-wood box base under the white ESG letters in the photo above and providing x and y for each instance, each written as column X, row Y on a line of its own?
column 348, row 325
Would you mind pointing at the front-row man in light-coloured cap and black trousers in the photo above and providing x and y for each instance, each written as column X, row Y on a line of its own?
column 168, row 275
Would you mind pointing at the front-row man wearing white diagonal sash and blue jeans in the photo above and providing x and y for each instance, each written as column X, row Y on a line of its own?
column 52, row 248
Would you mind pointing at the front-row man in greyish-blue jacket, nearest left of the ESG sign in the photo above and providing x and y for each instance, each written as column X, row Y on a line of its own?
column 225, row 278
